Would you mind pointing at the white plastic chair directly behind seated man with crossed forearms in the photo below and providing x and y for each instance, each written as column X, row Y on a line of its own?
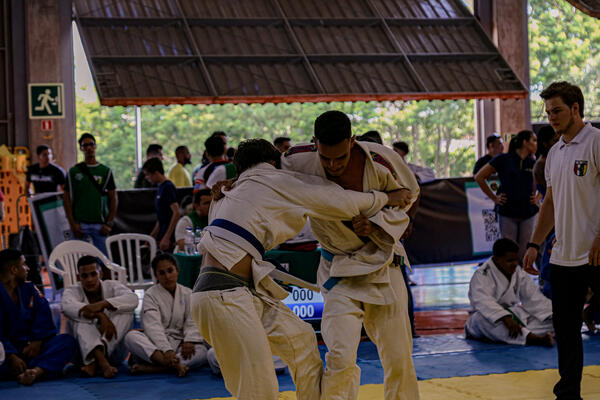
column 68, row 253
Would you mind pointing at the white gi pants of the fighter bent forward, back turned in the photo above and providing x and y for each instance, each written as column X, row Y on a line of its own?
column 245, row 329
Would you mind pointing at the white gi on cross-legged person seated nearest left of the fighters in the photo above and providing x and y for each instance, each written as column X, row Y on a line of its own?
column 167, row 324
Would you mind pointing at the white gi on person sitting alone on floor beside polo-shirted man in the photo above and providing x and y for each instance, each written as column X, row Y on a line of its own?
column 492, row 297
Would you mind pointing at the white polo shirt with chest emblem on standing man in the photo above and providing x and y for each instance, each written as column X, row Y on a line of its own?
column 573, row 172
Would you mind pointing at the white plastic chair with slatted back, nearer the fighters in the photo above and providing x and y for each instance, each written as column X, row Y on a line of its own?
column 130, row 256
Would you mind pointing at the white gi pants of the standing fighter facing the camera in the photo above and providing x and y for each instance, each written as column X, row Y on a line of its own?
column 388, row 326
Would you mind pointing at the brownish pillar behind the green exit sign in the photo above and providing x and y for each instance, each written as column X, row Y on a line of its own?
column 49, row 59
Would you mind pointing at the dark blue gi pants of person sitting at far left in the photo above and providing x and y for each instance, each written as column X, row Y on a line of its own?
column 55, row 353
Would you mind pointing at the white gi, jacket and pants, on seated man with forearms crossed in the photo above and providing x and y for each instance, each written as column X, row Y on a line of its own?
column 86, row 331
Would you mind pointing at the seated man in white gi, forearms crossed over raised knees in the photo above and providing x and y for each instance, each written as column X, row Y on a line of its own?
column 99, row 314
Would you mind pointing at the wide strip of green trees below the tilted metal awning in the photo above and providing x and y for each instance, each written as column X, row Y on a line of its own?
column 439, row 133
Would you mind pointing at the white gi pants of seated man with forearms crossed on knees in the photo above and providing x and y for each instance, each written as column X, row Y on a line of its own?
column 89, row 337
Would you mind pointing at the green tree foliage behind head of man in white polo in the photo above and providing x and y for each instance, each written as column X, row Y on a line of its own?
column 564, row 44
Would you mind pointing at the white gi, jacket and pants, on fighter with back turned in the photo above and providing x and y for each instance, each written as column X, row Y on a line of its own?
column 265, row 207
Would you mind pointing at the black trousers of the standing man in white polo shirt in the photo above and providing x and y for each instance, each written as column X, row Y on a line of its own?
column 569, row 288
